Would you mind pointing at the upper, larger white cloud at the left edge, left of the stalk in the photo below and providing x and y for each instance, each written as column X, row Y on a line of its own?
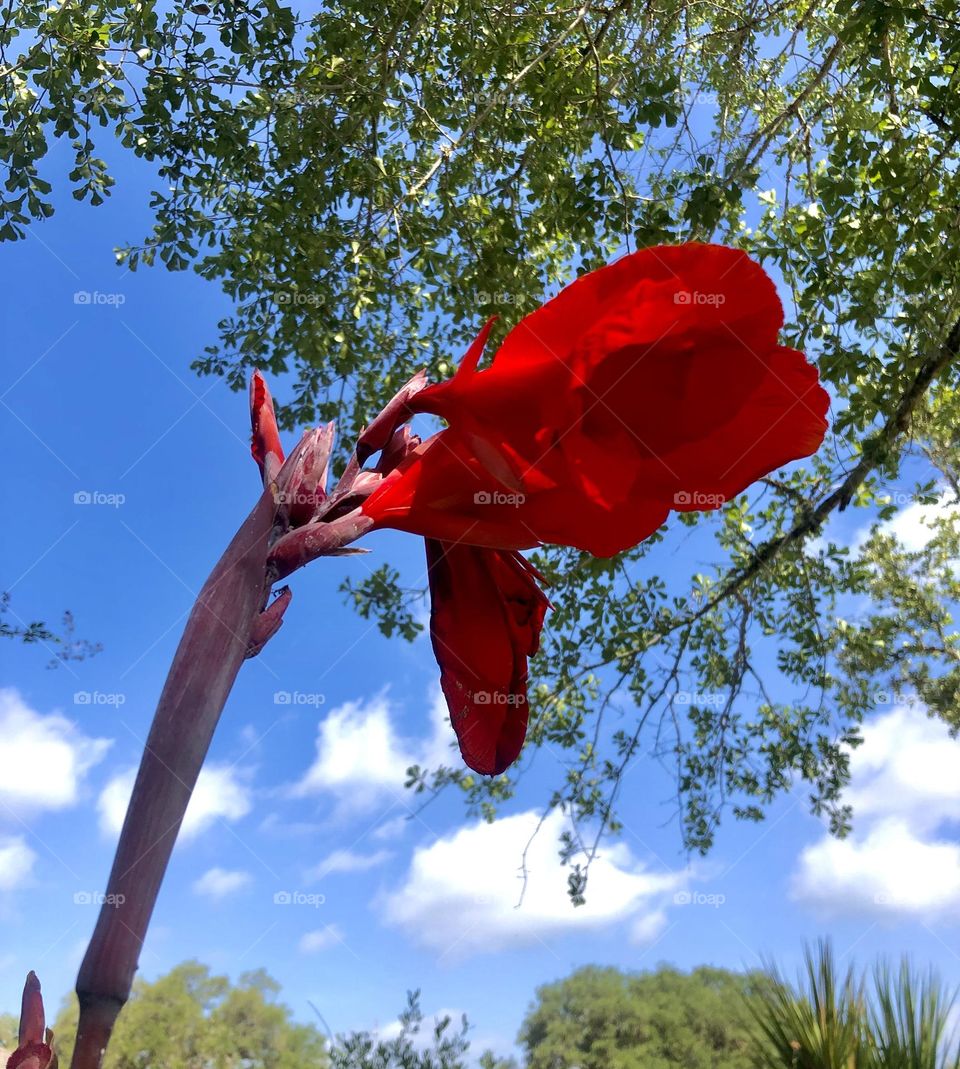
column 44, row 757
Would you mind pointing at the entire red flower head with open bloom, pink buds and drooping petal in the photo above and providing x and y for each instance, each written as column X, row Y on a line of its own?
column 654, row 384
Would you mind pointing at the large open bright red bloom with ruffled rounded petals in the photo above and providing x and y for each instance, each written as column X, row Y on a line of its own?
column 656, row 383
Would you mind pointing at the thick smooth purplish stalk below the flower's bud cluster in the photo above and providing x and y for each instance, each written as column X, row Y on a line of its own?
column 219, row 637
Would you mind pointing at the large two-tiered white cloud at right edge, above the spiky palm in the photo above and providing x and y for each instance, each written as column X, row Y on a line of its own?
column 904, row 791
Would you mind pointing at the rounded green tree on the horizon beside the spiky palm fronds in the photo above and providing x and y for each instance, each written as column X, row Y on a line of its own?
column 606, row 1019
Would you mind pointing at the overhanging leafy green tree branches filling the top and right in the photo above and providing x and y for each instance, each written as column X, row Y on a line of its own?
column 369, row 182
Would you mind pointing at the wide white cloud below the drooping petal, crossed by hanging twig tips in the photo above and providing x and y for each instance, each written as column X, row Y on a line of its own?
column 461, row 894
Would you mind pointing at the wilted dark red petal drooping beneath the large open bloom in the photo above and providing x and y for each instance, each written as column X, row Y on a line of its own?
column 487, row 613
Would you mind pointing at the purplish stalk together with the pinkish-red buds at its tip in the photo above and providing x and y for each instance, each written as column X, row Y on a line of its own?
column 229, row 623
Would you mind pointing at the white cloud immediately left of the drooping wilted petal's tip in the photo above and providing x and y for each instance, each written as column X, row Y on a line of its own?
column 362, row 757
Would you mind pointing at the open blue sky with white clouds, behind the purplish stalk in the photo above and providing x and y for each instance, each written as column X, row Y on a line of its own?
column 304, row 854
